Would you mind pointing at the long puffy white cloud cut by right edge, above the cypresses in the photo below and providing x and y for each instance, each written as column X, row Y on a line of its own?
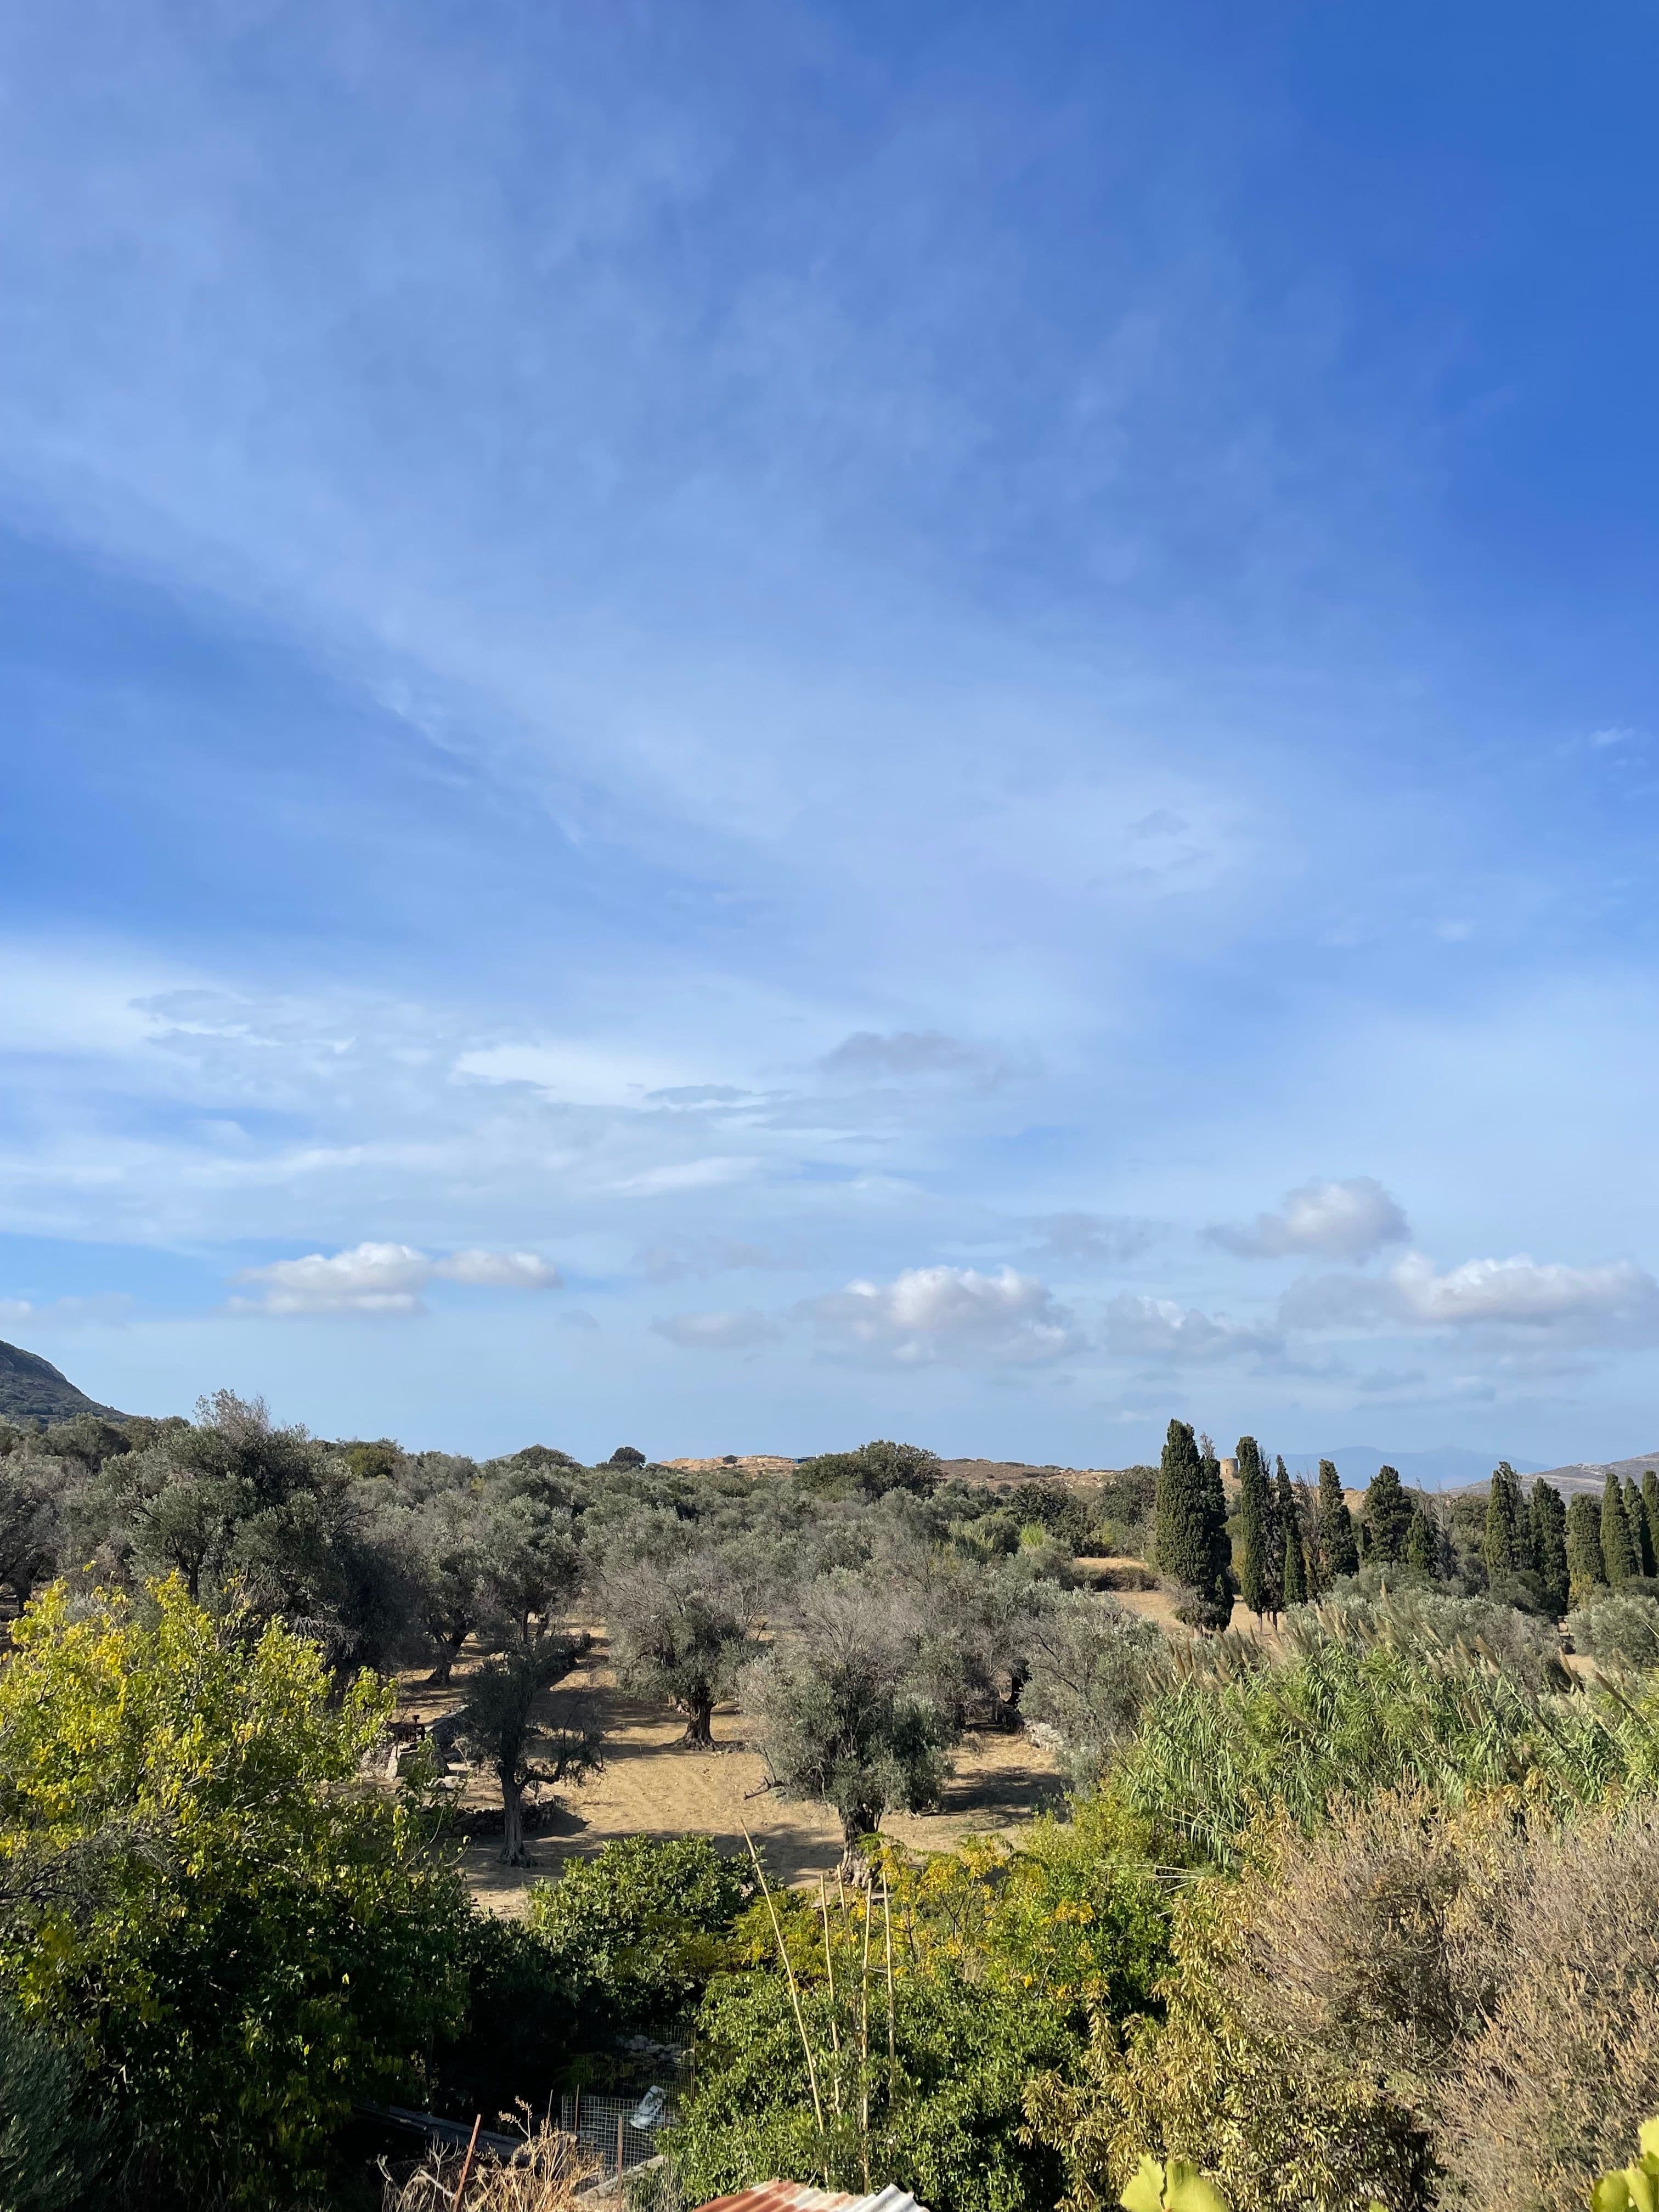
column 1618, row 1300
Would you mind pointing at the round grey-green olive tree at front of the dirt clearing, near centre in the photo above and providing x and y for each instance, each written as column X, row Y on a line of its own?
column 848, row 1711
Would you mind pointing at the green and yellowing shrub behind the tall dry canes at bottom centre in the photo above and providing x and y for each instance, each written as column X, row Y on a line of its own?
column 999, row 1963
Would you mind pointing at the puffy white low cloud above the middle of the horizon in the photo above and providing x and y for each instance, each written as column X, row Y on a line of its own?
column 950, row 1315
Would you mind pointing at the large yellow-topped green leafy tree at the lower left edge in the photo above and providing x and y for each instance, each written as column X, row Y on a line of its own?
column 196, row 1895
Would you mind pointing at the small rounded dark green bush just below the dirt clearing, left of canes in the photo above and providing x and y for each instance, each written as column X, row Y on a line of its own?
column 636, row 1932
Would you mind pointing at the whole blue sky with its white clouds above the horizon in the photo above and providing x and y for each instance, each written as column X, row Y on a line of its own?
column 740, row 727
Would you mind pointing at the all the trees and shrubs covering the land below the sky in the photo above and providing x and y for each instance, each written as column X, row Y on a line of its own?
column 1353, row 1903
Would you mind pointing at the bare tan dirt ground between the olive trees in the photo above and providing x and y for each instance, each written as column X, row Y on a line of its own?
column 656, row 1786
